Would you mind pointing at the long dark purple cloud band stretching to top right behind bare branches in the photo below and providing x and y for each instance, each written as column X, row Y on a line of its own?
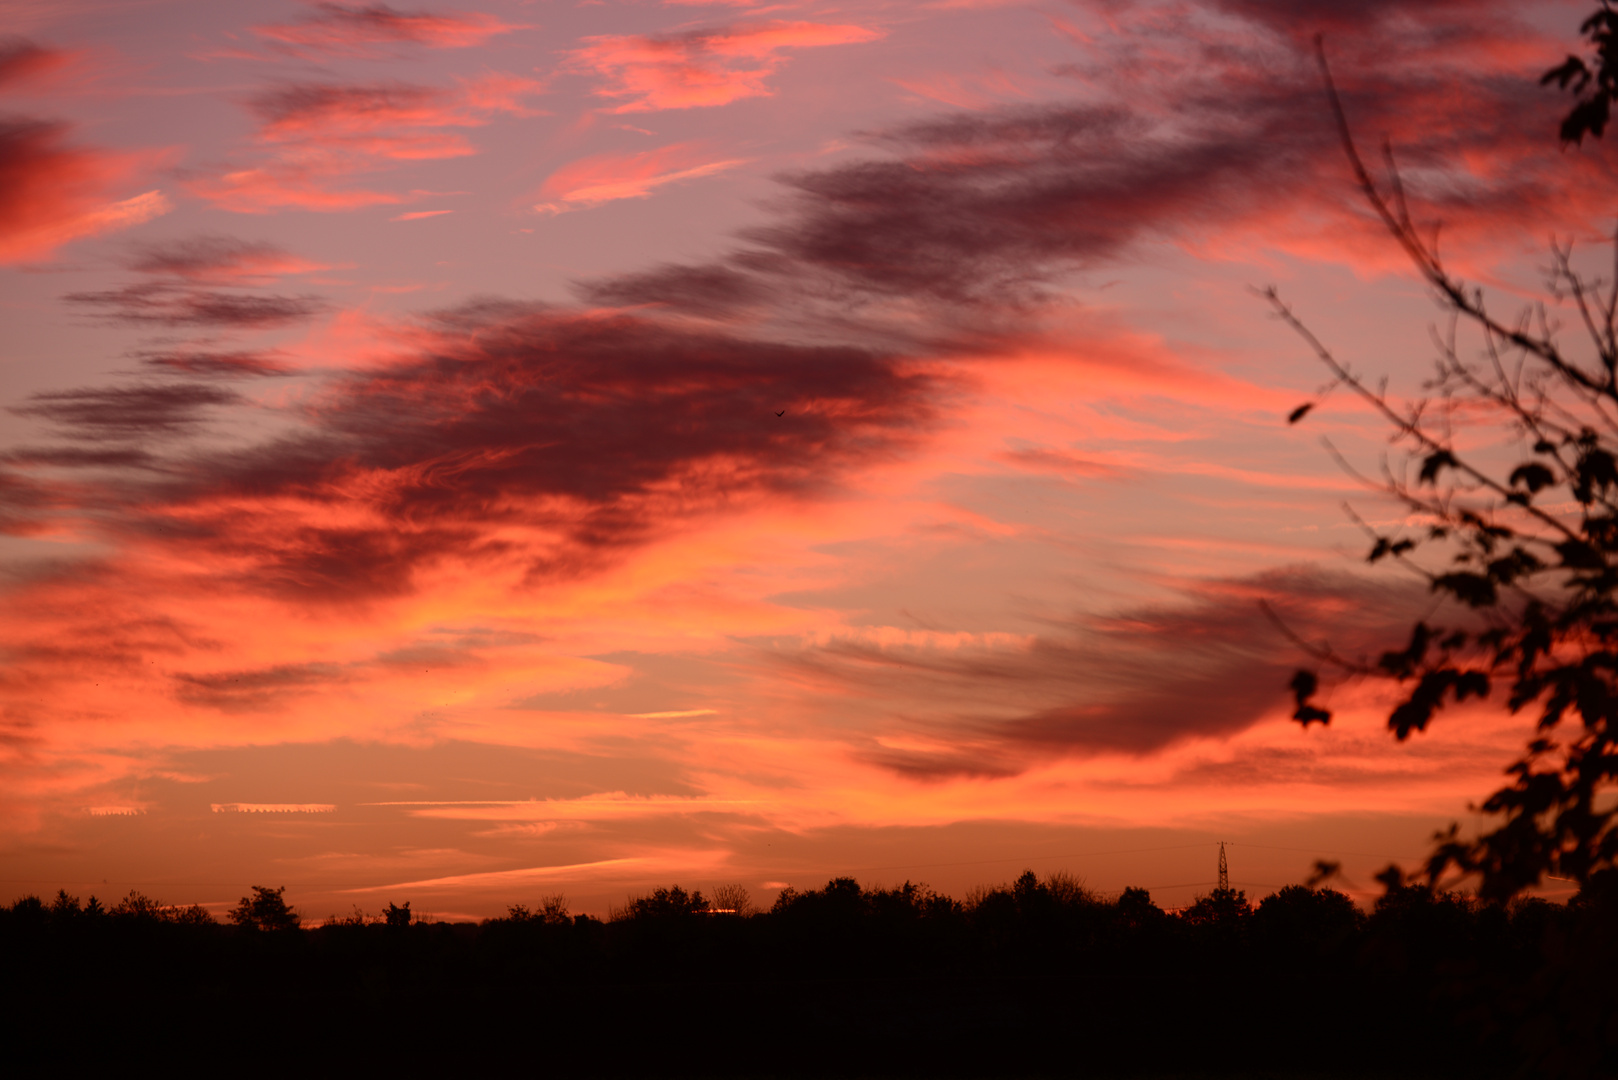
column 981, row 218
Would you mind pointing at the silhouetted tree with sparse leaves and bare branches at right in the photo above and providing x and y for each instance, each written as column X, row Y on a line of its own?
column 1527, row 553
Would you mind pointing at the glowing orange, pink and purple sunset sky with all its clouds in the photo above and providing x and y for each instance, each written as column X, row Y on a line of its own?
column 480, row 453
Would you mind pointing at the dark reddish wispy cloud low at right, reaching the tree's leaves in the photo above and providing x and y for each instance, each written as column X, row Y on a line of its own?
column 1133, row 682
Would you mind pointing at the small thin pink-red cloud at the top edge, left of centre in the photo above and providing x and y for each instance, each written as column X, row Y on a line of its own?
column 366, row 32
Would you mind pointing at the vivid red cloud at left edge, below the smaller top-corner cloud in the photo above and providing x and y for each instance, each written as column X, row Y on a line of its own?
column 53, row 193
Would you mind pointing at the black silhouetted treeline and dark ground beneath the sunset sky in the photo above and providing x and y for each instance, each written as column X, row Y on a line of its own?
column 1040, row 977
